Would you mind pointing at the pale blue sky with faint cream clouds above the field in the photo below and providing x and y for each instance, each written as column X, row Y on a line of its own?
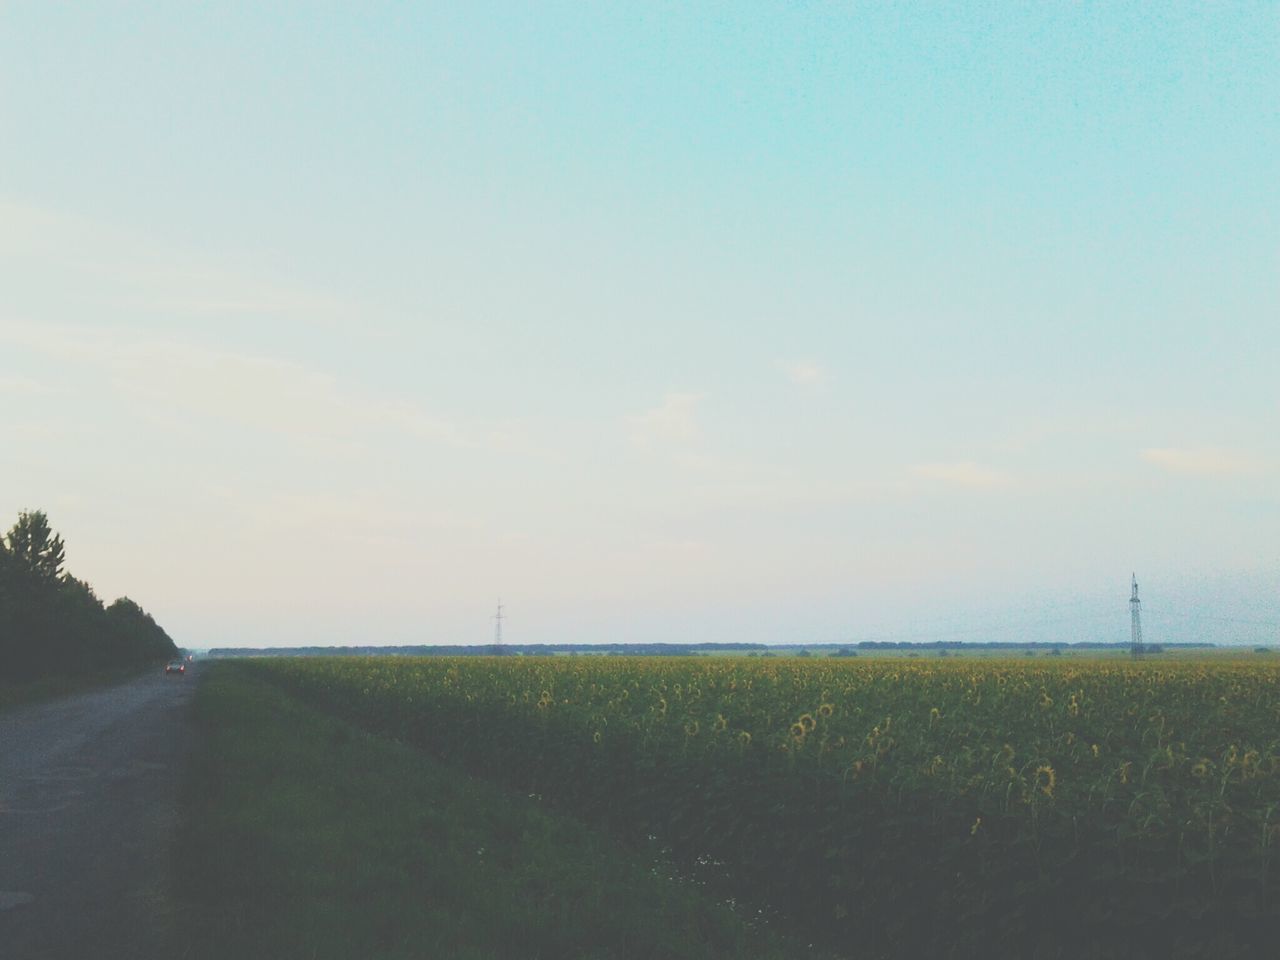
column 739, row 322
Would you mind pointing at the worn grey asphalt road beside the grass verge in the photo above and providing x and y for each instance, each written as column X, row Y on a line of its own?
column 88, row 813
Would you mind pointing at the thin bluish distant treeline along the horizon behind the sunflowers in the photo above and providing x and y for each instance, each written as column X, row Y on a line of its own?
column 668, row 650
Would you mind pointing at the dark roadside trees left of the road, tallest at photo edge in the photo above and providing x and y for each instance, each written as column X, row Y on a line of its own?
column 51, row 623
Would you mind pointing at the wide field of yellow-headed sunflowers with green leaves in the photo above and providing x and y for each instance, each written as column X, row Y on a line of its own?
column 890, row 808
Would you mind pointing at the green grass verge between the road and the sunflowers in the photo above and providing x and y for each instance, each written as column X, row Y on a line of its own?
column 307, row 838
